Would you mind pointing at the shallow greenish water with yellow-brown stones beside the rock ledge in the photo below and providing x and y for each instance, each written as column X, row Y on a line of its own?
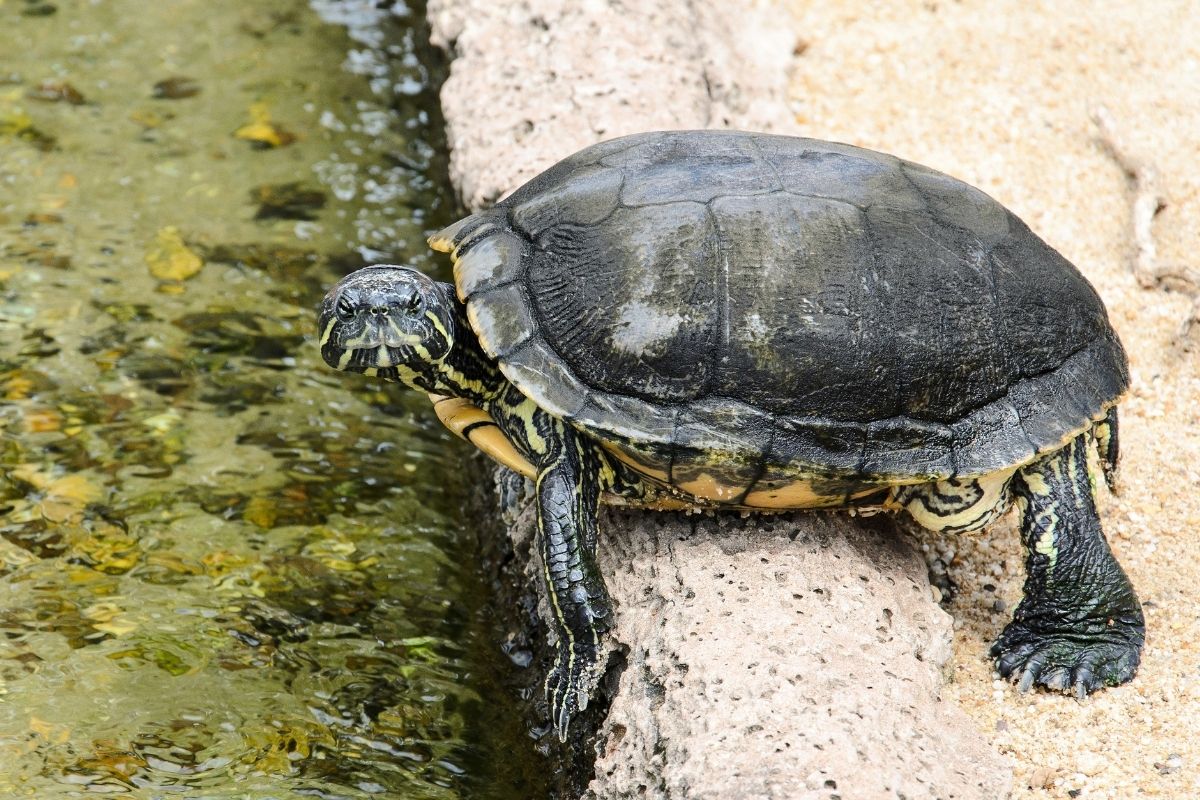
column 227, row 572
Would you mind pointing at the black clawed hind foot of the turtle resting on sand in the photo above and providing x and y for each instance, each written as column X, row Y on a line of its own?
column 1071, row 660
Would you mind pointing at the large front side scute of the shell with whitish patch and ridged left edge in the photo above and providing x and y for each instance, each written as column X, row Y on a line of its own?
column 633, row 311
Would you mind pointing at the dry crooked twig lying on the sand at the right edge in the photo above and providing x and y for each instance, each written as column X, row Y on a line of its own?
column 1147, row 204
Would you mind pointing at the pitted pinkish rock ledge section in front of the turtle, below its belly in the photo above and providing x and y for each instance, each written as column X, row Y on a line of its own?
column 781, row 658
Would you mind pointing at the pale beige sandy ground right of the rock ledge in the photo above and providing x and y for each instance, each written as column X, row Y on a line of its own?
column 1001, row 95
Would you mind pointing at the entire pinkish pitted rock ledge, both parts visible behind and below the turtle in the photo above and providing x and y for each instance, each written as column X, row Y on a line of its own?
column 787, row 657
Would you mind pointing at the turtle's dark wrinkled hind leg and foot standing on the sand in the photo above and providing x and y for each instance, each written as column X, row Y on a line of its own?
column 1079, row 625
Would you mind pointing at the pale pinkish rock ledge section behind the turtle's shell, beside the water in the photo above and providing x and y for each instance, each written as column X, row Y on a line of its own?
column 535, row 81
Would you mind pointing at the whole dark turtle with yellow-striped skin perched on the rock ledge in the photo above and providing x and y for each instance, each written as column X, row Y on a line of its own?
column 734, row 321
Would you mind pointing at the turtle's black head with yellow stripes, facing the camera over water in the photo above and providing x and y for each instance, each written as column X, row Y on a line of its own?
column 389, row 322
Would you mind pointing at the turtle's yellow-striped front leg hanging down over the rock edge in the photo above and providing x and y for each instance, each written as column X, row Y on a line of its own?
column 568, row 494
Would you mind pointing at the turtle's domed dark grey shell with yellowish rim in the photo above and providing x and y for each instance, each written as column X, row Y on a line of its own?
column 741, row 308
